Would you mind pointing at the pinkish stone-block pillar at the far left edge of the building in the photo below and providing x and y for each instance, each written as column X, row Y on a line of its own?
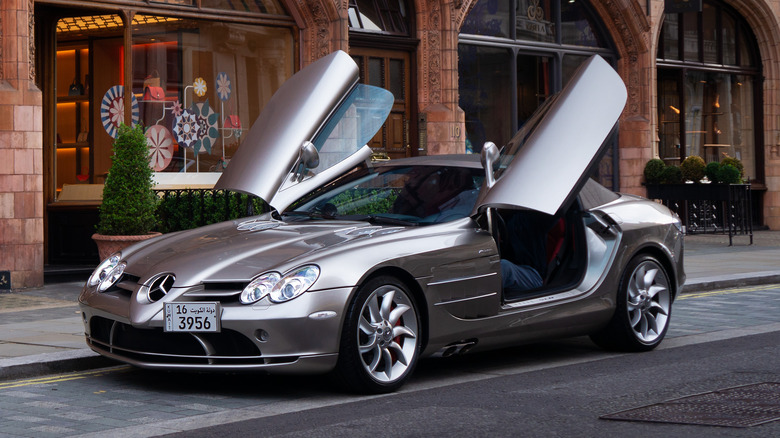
column 21, row 160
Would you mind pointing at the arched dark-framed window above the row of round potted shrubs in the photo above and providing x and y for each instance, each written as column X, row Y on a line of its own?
column 705, row 107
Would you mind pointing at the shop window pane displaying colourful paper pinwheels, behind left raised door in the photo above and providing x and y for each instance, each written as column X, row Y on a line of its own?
column 201, row 84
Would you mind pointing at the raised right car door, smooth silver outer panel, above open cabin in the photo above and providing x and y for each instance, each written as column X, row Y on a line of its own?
column 546, row 163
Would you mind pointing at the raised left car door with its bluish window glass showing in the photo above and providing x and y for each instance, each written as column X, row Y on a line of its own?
column 318, row 119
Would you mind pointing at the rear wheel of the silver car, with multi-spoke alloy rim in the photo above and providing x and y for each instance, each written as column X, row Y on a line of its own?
column 643, row 311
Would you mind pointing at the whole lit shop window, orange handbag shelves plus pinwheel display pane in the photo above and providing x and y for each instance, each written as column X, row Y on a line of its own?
column 196, row 87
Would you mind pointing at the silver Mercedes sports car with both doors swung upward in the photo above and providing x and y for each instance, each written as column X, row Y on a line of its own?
column 362, row 268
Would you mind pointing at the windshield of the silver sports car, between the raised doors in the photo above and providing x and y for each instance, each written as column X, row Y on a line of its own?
column 403, row 195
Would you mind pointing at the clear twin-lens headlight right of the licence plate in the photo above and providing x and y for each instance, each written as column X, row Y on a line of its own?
column 280, row 289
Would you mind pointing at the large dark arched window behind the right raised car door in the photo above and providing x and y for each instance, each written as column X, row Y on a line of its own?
column 533, row 53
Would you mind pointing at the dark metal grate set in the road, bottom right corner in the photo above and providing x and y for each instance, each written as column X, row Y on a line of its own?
column 743, row 406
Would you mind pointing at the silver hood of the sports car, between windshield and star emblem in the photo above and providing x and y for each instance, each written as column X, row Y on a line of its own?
column 237, row 251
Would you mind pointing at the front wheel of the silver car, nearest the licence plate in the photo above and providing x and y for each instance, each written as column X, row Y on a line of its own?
column 381, row 337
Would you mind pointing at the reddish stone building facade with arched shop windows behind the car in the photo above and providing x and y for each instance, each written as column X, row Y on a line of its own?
column 197, row 73
